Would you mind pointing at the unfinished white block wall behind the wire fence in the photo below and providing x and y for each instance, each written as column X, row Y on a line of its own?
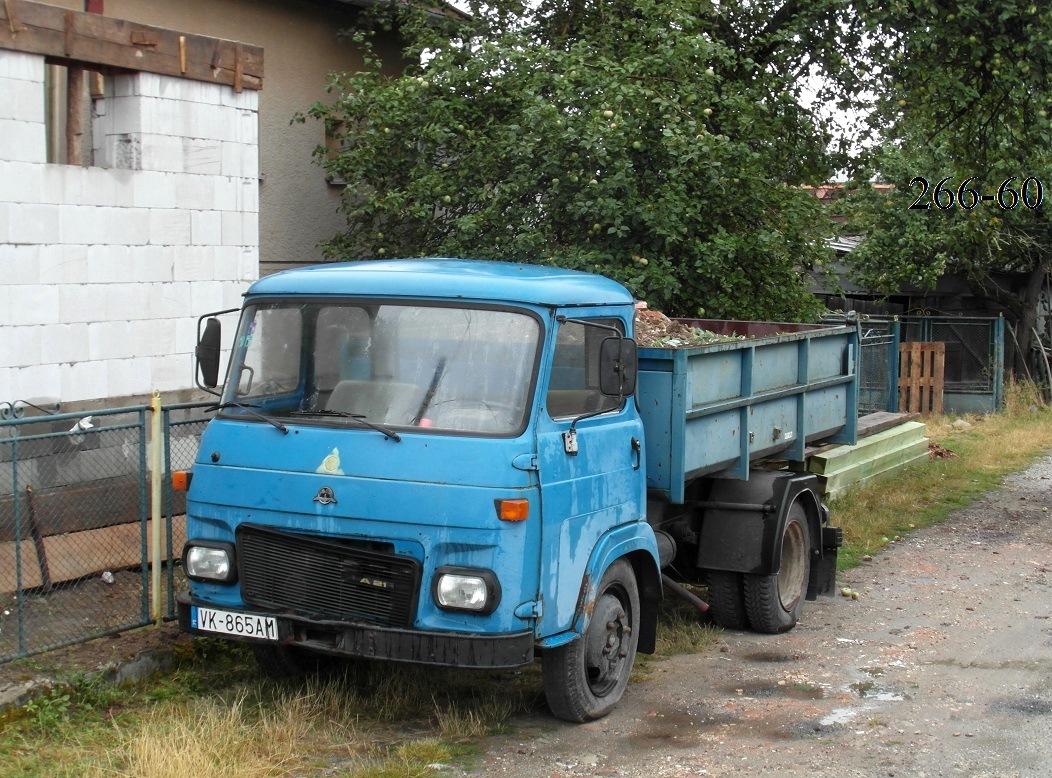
column 105, row 270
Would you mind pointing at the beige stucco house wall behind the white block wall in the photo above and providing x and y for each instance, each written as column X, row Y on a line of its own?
column 301, row 44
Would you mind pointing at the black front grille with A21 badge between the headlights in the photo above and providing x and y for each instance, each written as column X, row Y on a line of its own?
column 326, row 579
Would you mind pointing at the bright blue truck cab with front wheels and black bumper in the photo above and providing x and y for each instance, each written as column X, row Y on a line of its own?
column 429, row 461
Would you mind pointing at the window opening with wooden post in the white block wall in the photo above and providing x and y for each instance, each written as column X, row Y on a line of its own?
column 70, row 91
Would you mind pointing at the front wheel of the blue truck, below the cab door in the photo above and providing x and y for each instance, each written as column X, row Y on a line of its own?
column 585, row 680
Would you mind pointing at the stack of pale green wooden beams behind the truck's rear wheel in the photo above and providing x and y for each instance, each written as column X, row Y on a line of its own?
column 843, row 467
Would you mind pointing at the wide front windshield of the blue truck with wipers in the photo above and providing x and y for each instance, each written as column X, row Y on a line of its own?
column 458, row 370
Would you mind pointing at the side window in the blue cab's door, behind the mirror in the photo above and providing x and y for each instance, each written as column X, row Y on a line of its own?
column 574, row 387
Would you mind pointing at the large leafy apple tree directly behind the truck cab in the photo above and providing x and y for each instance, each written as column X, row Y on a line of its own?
column 659, row 142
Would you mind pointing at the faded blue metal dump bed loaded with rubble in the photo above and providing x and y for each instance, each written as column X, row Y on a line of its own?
column 714, row 410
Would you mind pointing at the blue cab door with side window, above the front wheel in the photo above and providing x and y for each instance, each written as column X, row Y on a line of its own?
column 590, row 461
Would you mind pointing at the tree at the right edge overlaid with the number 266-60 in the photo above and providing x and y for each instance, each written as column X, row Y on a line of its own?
column 965, row 98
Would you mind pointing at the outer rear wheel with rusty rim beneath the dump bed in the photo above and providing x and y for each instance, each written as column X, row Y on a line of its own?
column 775, row 603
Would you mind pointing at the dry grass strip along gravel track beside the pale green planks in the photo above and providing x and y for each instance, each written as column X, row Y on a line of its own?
column 987, row 449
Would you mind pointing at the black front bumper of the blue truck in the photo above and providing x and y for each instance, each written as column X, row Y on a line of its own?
column 338, row 639
